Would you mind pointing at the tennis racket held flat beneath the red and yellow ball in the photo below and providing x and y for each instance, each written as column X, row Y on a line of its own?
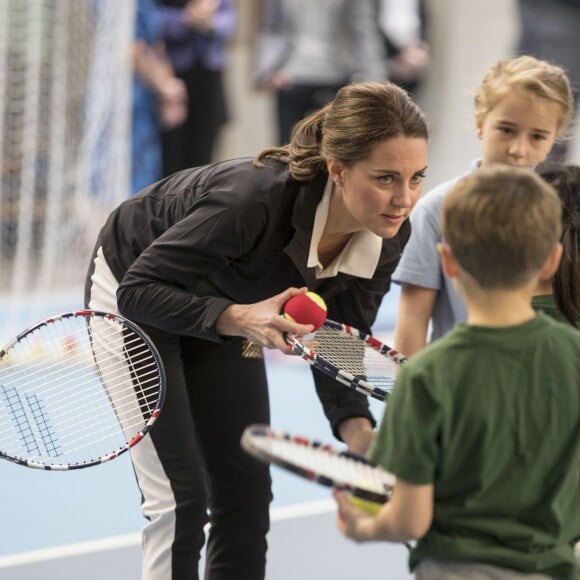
column 353, row 358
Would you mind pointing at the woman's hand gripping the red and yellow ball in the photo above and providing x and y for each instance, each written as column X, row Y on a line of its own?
column 261, row 322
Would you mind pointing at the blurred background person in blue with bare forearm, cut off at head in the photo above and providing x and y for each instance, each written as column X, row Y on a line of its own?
column 159, row 97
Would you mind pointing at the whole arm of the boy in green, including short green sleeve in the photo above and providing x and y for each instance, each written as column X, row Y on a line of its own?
column 411, row 454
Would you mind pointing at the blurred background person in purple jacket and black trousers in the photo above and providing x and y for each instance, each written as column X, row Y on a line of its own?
column 196, row 33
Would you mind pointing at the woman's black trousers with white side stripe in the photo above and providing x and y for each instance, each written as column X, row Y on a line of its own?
column 213, row 393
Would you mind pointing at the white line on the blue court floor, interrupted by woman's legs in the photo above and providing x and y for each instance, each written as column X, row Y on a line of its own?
column 134, row 540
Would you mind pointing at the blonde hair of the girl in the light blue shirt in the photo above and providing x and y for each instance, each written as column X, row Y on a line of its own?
column 535, row 76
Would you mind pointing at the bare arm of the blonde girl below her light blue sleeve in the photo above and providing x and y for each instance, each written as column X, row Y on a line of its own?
column 415, row 309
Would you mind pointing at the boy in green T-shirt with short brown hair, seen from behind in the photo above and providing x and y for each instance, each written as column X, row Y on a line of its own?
column 483, row 427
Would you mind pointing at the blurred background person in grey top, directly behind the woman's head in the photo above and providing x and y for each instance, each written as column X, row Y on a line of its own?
column 308, row 49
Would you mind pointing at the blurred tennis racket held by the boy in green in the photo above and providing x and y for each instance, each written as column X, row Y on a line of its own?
column 321, row 463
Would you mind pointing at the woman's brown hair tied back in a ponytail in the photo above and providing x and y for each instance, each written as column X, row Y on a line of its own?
column 346, row 129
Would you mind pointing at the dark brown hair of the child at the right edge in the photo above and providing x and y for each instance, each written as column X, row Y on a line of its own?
column 565, row 179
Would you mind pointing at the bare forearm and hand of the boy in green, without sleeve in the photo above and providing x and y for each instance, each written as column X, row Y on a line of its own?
column 407, row 515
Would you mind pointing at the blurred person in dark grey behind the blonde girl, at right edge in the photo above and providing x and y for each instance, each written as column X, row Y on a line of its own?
column 550, row 30
